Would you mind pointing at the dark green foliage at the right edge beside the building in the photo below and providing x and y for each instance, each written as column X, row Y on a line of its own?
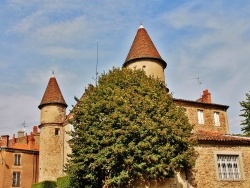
column 246, row 114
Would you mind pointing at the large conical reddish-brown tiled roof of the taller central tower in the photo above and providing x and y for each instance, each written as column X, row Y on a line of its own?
column 142, row 48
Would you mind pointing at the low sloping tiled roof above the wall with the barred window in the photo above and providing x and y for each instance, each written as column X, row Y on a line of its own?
column 217, row 137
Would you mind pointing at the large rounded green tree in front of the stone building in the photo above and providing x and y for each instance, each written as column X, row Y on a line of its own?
column 128, row 128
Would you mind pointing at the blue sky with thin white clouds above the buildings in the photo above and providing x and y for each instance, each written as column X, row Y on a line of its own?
column 209, row 40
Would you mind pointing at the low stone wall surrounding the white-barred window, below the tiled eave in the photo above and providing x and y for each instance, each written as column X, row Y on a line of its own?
column 205, row 171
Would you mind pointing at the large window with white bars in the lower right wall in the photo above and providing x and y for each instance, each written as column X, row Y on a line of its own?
column 228, row 167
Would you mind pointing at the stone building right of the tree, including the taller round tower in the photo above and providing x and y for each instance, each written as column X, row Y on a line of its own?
column 223, row 159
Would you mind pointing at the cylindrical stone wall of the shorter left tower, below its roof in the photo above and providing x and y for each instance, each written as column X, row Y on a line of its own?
column 51, row 142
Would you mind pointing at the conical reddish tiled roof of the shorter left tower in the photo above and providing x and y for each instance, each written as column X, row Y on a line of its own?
column 53, row 94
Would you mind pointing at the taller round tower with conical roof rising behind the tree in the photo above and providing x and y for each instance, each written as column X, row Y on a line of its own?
column 144, row 55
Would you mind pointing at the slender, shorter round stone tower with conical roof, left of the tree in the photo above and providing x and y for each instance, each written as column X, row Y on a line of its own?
column 53, row 113
